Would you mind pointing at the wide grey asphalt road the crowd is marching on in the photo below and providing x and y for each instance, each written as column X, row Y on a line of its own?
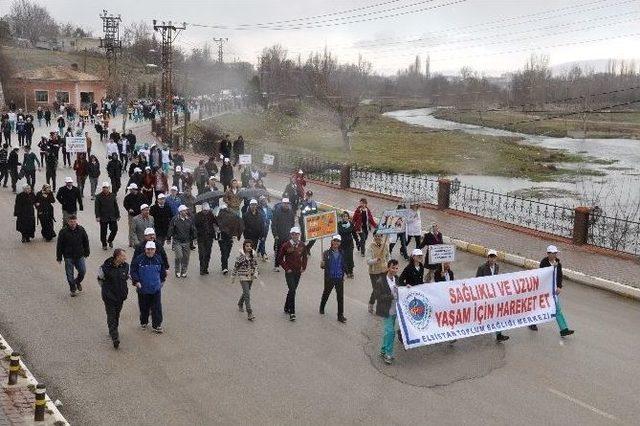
column 212, row 366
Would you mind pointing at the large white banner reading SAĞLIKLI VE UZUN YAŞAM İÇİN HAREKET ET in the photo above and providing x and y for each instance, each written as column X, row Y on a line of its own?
column 449, row 310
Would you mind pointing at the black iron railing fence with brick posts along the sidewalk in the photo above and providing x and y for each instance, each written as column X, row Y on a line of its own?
column 582, row 225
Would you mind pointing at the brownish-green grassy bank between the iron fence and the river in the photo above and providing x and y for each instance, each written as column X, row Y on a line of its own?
column 388, row 144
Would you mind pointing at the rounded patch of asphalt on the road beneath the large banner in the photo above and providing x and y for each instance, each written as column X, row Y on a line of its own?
column 436, row 365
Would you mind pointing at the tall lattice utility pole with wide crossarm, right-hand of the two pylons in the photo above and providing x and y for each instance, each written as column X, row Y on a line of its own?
column 169, row 32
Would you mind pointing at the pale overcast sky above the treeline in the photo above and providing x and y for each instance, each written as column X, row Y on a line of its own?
column 491, row 36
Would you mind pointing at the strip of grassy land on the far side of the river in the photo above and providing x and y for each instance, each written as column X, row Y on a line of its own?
column 598, row 125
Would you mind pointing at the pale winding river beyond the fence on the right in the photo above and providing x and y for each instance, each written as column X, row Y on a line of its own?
column 618, row 192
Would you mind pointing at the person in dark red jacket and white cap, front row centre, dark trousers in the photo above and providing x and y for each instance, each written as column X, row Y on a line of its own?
column 293, row 259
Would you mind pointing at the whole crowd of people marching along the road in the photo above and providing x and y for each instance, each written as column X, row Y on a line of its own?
column 230, row 209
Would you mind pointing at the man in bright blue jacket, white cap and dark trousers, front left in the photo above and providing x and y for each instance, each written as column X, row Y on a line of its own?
column 148, row 275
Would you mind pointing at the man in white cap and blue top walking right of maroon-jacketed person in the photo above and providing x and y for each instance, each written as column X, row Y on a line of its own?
column 334, row 270
